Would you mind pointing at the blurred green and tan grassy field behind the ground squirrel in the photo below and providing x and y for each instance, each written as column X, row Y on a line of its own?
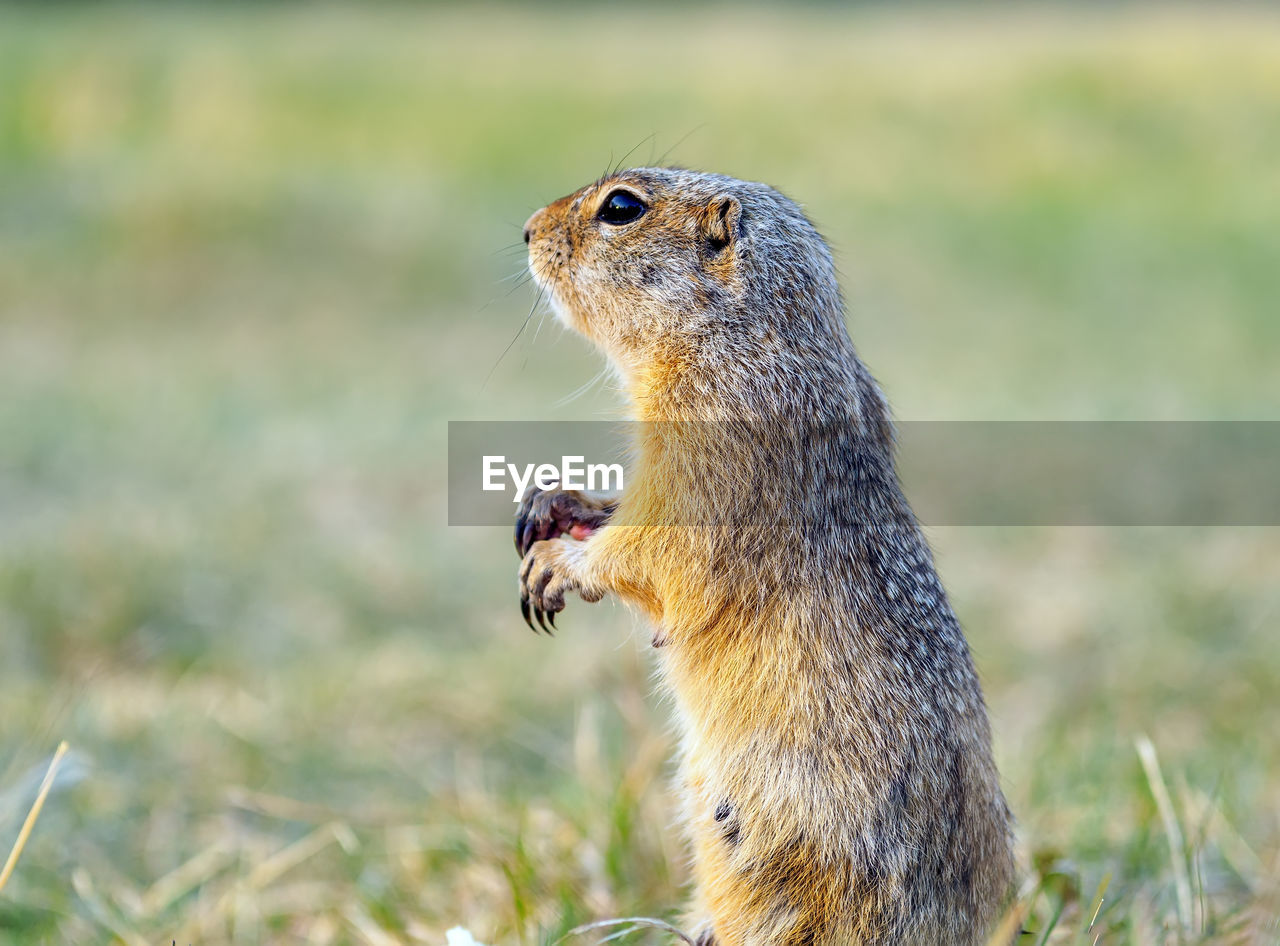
column 253, row 259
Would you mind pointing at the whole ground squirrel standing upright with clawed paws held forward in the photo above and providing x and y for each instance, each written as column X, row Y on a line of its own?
column 836, row 762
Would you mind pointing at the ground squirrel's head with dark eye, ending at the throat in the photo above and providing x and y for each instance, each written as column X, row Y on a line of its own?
column 661, row 264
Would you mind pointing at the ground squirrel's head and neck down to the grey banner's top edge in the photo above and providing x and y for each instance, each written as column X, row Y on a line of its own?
column 711, row 296
